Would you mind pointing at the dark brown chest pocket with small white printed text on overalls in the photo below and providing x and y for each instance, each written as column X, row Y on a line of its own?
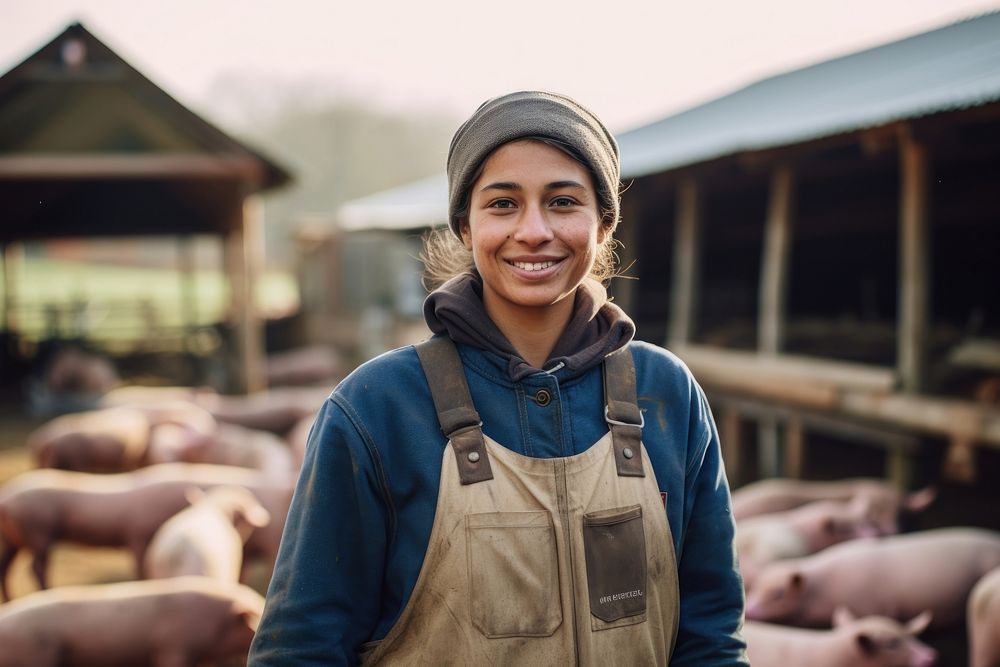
column 614, row 543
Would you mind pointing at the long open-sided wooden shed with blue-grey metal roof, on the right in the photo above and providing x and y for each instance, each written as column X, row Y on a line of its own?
column 821, row 248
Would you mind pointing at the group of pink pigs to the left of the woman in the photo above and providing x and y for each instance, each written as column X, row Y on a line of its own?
column 194, row 484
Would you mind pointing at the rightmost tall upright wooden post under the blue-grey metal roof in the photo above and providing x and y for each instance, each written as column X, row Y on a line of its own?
column 914, row 264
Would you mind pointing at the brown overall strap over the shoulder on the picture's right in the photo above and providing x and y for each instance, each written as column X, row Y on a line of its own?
column 622, row 412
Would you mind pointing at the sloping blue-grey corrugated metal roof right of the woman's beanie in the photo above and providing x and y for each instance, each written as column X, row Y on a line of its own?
column 953, row 67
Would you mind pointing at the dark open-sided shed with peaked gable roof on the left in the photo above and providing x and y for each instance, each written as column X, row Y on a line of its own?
column 89, row 147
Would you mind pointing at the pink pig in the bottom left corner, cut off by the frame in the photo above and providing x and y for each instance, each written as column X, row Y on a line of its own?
column 178, row 622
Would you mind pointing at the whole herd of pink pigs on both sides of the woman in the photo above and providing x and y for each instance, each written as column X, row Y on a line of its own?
column 196, row 486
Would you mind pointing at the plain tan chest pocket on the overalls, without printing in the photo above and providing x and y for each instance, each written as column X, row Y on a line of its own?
column 513, row 574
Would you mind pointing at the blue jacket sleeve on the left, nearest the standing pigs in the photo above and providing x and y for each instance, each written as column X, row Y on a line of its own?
column 323, row 599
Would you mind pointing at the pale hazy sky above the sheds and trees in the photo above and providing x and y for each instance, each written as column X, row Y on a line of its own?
column 629, row 60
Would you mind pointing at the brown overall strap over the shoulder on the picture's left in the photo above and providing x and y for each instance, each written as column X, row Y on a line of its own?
column 458, row 417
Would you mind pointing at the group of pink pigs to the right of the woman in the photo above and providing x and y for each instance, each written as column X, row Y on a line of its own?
column 832, row 582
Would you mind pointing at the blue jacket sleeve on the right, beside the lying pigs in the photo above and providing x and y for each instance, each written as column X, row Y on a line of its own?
column 711, row 588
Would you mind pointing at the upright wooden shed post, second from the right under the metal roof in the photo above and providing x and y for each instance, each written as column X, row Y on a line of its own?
column 774, row 263
